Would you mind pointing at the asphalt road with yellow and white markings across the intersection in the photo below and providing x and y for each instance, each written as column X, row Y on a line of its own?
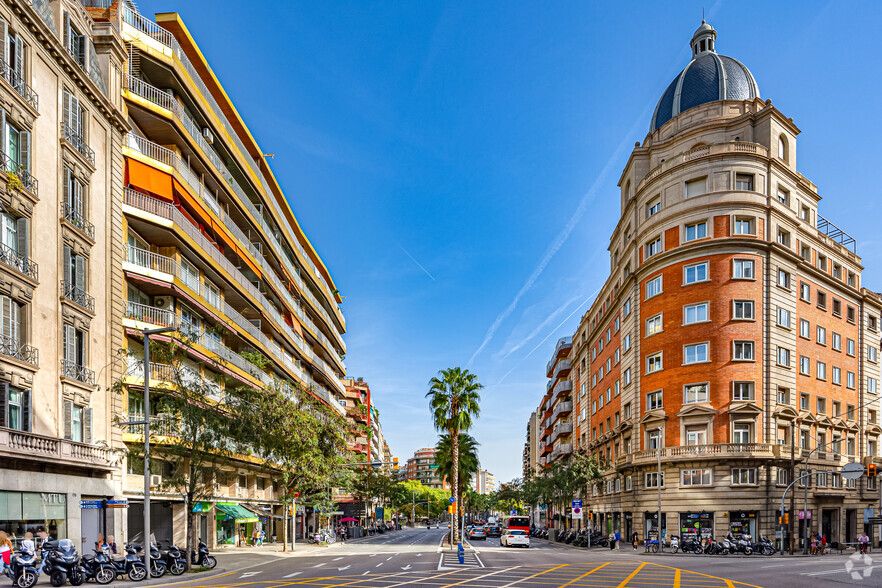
column 414, row 558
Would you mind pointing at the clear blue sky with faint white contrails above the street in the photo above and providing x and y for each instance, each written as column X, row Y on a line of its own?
column 455, row 163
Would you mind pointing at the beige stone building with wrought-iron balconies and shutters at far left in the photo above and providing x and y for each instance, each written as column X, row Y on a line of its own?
column 61, row 132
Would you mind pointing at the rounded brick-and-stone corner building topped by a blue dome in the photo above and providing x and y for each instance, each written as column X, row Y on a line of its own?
column 733, row 337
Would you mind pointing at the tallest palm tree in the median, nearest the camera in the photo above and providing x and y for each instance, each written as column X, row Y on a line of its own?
column 453, row 399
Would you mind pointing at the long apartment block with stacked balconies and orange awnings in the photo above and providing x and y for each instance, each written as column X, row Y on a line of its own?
column 208, row 245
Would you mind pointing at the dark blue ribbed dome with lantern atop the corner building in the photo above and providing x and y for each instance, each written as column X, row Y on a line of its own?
column 708, row 77
